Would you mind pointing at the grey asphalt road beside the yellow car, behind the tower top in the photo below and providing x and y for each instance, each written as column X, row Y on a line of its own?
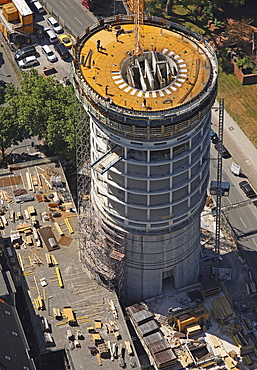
column 74, row 16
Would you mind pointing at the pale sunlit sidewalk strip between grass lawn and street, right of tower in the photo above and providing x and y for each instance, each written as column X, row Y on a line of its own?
column 240, row 147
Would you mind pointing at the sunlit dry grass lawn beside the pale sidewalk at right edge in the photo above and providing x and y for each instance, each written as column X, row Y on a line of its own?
column 240, row 102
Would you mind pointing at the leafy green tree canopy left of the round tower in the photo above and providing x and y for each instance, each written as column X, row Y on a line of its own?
column 40, row 106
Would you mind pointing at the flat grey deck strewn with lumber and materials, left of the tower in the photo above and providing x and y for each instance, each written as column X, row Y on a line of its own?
column 68, row 319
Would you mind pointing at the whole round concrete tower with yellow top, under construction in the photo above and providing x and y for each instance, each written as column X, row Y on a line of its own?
column 150, row 116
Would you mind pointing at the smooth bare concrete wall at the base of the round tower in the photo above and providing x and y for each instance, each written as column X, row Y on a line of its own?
column 150, row 259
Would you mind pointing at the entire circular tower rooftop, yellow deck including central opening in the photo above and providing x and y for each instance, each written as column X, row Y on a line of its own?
column 172, row 69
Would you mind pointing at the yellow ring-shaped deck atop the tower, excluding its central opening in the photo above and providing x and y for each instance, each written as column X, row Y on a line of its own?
column 193, row 67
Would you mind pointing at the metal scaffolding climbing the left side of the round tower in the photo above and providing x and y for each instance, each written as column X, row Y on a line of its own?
column 101, row 247
